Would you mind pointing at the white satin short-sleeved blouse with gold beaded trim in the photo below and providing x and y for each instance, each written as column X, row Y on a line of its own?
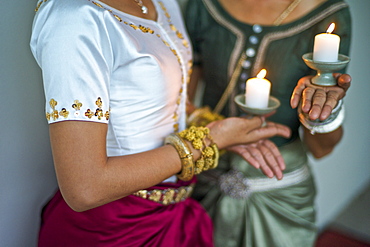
column 103, row 65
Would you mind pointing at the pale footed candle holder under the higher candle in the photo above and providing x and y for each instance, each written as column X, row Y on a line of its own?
column 325, row 70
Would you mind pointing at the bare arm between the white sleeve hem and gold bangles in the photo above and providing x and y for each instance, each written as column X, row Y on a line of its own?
column 87, row 178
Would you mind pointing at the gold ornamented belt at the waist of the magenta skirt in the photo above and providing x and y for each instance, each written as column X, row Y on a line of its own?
column 166, row 196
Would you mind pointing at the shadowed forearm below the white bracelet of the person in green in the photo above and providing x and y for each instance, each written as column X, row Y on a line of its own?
column 321, row 145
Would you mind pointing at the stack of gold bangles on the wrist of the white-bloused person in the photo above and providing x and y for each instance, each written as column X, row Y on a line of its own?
column 196, row 136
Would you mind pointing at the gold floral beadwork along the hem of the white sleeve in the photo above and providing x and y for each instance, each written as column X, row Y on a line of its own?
column 98, row 113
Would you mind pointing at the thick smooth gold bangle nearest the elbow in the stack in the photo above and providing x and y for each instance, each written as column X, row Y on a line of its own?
column 186, row 156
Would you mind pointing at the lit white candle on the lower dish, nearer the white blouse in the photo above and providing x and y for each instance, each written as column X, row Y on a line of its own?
column 258, row 91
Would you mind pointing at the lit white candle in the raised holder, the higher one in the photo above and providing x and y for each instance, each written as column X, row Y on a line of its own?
column 326, row 46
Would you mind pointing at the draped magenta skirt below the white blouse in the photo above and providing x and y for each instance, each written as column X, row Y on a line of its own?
column 130, row 221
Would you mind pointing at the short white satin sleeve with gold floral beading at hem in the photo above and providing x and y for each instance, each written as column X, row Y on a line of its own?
column 70, row 43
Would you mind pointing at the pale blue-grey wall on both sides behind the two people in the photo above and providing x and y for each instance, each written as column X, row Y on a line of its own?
column 26, row 171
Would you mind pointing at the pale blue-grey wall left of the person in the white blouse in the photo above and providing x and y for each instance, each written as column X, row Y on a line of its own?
column 26, row 168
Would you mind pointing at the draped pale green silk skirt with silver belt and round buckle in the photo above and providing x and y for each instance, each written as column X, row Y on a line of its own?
column 249, row 209
